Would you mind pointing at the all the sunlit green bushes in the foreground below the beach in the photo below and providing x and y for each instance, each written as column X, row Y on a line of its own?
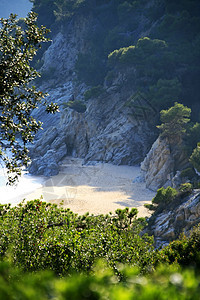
column 37, row 237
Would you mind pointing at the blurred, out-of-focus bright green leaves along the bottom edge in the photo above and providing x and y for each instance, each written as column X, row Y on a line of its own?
column 165, row 283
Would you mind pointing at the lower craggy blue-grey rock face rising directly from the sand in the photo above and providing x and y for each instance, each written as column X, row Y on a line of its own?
column 106, row 132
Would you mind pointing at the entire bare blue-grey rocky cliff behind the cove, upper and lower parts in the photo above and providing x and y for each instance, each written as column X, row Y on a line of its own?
column 107, row 131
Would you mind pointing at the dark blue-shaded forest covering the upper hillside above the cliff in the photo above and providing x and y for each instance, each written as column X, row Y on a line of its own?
column 158, row 40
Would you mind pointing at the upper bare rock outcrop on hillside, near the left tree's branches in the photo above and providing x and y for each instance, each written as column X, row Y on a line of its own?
column 60, row 57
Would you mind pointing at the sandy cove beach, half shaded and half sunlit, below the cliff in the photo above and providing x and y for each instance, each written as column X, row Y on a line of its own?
column 97, row 189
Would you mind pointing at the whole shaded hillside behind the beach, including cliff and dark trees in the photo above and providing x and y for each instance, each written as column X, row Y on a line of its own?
column 112, row 66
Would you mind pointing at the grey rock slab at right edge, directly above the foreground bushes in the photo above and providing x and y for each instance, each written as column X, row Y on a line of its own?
column 169, row 224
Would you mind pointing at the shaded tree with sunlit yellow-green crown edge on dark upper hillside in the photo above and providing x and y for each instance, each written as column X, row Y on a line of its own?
column 150, row 58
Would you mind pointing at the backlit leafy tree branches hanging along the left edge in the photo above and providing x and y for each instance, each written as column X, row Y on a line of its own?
column 18, row 98
